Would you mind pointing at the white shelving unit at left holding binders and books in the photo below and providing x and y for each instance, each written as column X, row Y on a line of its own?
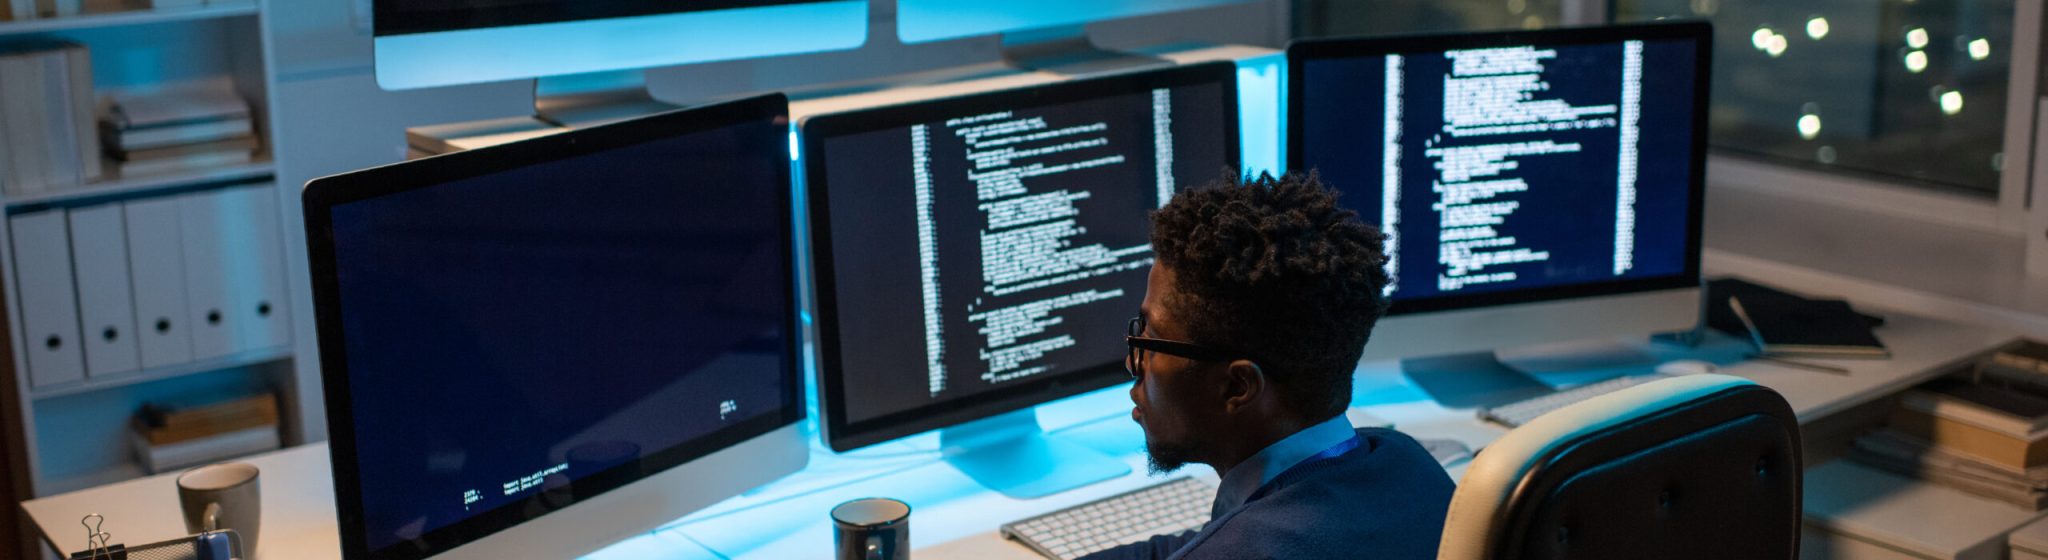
column 75, row 432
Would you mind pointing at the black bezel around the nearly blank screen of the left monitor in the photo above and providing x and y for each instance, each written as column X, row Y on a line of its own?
column 325, row 194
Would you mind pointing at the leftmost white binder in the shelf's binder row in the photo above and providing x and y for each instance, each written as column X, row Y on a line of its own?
column 48, row 301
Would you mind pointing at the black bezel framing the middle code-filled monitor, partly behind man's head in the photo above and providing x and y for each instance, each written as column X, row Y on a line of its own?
column 843, row 436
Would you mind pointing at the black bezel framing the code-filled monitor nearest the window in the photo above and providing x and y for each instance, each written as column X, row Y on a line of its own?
column 1310, row 50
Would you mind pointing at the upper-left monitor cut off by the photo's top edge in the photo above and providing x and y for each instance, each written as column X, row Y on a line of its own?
column 443, row 44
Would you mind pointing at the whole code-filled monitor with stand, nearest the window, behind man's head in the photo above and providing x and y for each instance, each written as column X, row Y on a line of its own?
column 1533, row 186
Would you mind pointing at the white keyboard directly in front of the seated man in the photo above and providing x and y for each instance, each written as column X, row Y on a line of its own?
column 1168, row 508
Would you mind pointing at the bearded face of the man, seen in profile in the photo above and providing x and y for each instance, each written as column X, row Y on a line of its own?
column 1170, row 391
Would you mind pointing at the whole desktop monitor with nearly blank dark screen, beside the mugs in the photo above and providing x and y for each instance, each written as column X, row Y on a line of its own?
column 546, row 348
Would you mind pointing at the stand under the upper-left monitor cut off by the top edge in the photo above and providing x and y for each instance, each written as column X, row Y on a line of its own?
column 595, row 99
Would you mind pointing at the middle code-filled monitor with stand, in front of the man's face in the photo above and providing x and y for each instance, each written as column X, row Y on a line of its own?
column 980, row 255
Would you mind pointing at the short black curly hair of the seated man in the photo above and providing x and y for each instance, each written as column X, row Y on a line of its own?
column 1277, row 272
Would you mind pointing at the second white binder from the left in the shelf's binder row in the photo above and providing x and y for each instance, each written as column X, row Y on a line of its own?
column 105, row 305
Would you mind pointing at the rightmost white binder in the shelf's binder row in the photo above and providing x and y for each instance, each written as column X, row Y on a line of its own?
column 259, row 274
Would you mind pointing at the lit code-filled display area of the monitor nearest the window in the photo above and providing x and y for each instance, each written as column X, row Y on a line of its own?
column 1512, row 173
